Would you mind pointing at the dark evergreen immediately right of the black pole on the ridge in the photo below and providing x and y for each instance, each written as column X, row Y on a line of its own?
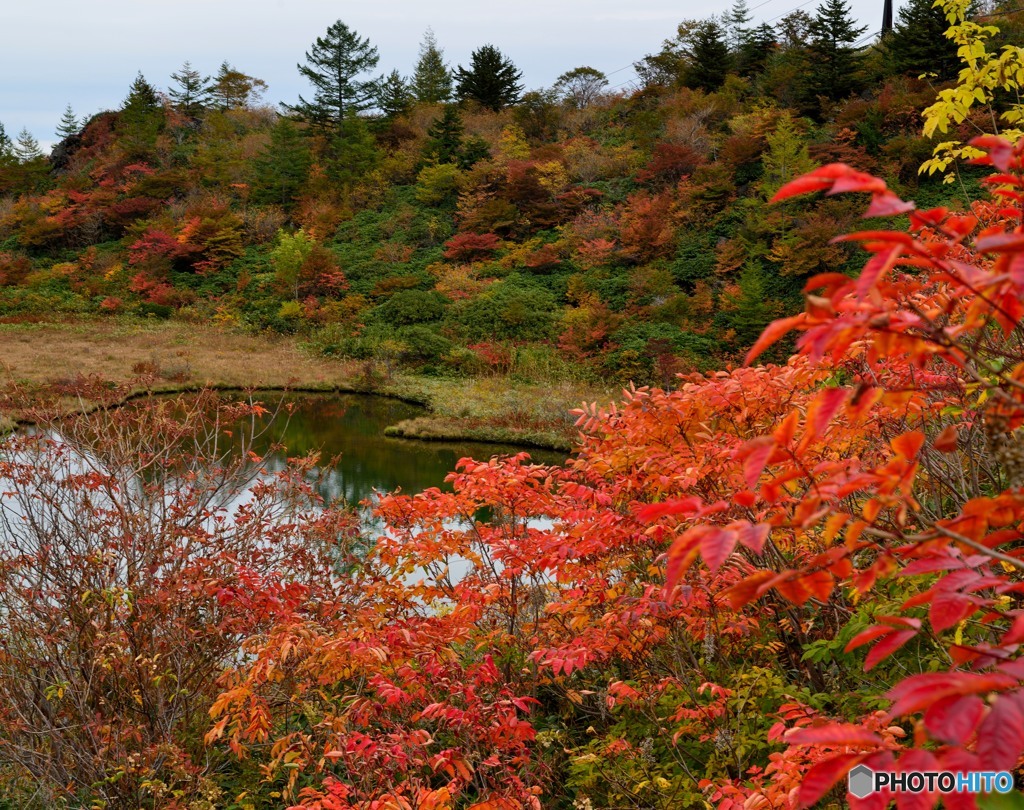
column 918, row 44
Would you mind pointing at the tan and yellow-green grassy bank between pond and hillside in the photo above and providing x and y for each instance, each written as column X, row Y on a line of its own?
column 167, row 357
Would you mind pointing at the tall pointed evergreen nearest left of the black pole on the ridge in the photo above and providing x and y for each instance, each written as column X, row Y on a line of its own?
column 836, row 71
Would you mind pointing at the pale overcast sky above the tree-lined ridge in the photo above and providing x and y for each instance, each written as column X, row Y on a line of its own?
column 87, row 54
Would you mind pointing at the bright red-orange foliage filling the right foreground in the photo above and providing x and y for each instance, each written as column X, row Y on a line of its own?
column 737, row 592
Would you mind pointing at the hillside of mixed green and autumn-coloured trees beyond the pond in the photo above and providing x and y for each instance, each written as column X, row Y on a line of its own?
column 451, row 223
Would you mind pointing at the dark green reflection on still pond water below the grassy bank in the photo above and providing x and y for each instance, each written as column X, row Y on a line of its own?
column 352, row 428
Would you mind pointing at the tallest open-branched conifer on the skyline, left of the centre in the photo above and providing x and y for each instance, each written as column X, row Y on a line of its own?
column 333, row 67
